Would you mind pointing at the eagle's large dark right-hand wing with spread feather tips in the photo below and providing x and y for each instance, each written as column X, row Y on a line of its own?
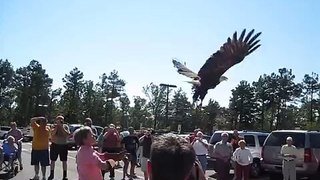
column 232, row 52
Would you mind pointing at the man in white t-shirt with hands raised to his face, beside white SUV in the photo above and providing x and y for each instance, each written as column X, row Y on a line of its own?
column 200, row 146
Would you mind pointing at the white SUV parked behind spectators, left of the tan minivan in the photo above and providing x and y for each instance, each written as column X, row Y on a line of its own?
column 254, row 141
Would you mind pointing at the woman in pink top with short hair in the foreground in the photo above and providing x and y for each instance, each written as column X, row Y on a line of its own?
column 90, row 162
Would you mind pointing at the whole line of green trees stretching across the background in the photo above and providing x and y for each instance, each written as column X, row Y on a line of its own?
column 273, row 101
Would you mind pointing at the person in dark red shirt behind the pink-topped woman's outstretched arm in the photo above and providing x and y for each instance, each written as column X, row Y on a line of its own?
column 111, row 144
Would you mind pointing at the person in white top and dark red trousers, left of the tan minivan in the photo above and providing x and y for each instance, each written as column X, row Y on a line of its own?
column 243, row 158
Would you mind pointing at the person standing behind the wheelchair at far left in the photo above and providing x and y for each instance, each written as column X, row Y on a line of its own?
column 18, row 136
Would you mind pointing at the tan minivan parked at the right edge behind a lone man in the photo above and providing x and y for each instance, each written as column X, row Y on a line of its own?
column 307, row 161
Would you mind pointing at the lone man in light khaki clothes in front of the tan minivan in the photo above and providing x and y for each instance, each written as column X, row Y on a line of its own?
column 289, row 154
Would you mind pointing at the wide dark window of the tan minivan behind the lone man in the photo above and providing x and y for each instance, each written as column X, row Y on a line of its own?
column 279, row 139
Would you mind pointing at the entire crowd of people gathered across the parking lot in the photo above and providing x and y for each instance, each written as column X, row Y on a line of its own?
column 167, row 157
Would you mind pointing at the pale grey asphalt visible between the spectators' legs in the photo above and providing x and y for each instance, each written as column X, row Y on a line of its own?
column 28, row 171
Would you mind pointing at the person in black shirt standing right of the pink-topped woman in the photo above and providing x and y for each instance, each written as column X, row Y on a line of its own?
column 130, row 144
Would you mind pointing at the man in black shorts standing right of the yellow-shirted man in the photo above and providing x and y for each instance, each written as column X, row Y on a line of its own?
column 59, row 147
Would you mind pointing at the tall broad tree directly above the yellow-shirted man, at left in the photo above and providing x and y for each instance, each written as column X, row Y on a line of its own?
column 32, row 88
